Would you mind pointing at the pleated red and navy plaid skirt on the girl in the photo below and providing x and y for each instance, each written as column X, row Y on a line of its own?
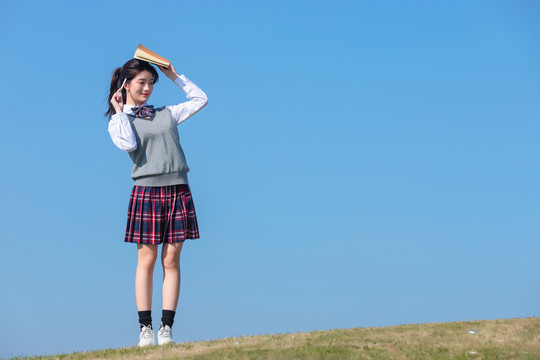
column 161, row 214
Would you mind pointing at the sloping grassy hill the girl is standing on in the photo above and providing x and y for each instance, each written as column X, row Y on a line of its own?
column 486, row 339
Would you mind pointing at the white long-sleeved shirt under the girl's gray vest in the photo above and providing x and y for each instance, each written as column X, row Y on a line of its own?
column 120, row 128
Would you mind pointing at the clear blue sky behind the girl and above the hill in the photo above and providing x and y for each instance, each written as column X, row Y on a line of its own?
column 358, row 164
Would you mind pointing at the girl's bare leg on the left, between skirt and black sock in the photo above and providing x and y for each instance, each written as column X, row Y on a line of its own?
column 147, row 255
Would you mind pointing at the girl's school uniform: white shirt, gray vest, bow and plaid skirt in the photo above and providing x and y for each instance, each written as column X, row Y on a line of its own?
column 161, row 206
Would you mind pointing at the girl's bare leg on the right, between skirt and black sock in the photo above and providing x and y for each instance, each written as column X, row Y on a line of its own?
column 170, row 258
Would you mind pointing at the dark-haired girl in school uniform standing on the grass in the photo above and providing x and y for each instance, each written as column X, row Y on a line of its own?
column 161, row 209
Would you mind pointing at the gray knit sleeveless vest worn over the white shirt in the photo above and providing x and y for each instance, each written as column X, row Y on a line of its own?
column 159, row 159
